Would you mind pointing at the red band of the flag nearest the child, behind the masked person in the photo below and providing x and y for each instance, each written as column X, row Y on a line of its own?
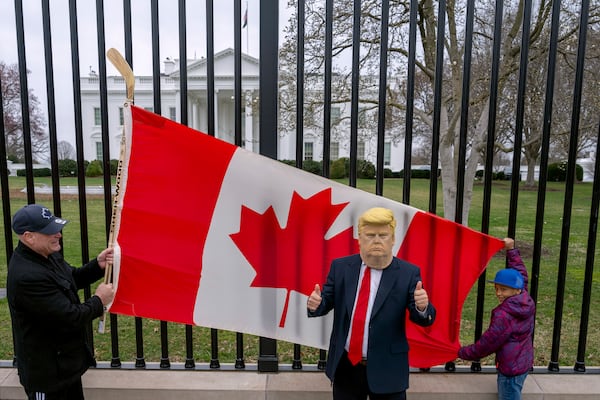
column 451, row 258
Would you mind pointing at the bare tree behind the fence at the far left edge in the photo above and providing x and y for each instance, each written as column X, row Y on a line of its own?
column 13, row 128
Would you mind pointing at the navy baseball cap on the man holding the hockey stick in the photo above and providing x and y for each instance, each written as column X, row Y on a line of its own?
column 36, row 218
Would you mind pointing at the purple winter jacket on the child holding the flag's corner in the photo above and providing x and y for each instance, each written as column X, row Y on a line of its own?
column 511, row 328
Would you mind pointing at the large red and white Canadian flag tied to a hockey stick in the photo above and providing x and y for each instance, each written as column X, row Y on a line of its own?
column 210, row 234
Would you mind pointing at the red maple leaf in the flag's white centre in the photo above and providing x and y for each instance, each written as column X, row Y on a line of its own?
column 297, row 256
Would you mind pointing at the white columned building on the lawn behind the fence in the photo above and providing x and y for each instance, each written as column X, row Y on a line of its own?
column 224, row 111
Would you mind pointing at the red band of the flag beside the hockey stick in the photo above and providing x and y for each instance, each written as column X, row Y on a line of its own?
column 166, row 216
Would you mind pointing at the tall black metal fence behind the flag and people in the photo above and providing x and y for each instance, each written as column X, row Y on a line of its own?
column 269, row 126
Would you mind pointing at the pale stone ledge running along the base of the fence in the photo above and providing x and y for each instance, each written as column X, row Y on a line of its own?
column 181, row 384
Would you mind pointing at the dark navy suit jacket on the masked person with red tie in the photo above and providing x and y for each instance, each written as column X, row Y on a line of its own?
column 387, row 357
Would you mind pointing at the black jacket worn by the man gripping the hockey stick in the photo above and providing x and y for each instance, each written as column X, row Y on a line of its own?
column 49, row 321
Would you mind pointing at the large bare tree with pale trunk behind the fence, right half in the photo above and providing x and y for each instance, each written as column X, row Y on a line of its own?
column 425, row 77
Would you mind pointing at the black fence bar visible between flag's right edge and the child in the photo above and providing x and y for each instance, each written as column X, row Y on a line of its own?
column 489, row 162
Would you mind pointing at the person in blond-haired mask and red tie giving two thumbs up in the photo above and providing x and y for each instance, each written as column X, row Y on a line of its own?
column 370, row 294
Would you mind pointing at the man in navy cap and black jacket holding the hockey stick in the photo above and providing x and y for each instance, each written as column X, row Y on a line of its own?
column 49, row 320
